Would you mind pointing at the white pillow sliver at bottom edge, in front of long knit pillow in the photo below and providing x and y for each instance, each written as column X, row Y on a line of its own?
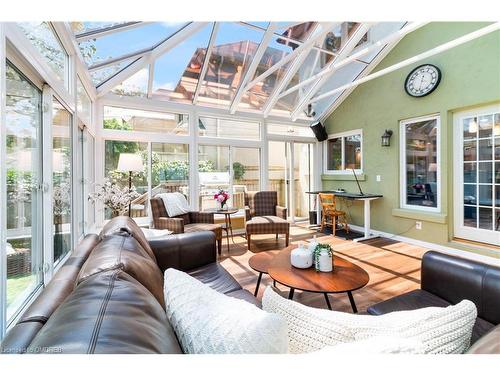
column 376, row 345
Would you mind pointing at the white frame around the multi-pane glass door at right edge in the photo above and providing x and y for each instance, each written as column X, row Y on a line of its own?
column 459, row 230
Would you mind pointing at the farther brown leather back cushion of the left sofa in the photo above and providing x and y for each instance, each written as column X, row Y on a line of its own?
column 123, row 251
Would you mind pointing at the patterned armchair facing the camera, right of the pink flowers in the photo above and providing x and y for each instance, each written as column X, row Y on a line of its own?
column 264, row 216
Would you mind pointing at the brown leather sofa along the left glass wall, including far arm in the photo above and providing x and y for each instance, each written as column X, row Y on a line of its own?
column 108, row 296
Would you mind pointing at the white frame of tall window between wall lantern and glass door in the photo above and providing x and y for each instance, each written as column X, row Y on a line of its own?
column 402, row 163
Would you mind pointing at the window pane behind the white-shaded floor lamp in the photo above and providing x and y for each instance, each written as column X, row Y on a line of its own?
column 139, row 180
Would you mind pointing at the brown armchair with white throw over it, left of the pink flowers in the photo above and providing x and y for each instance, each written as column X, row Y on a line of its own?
column 193, row 221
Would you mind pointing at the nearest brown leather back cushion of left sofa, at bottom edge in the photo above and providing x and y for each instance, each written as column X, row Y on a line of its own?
column 109, row 312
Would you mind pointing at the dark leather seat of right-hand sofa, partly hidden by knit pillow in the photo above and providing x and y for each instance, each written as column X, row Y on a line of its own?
column 417, row 299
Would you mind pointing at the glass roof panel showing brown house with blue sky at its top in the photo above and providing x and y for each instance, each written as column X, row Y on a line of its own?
column 234, row 49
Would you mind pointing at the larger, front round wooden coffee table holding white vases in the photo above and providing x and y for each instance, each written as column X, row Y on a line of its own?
column 345, row 278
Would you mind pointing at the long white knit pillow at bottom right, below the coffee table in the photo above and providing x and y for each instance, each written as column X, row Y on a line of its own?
column 440, row 330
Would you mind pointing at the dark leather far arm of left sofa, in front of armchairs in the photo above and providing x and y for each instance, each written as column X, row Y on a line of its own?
column 185, row 251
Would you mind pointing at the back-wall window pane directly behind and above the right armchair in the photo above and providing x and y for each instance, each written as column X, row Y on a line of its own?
column 246, row 174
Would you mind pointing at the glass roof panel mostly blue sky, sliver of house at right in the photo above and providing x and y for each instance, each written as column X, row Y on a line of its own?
column 176, row 74
